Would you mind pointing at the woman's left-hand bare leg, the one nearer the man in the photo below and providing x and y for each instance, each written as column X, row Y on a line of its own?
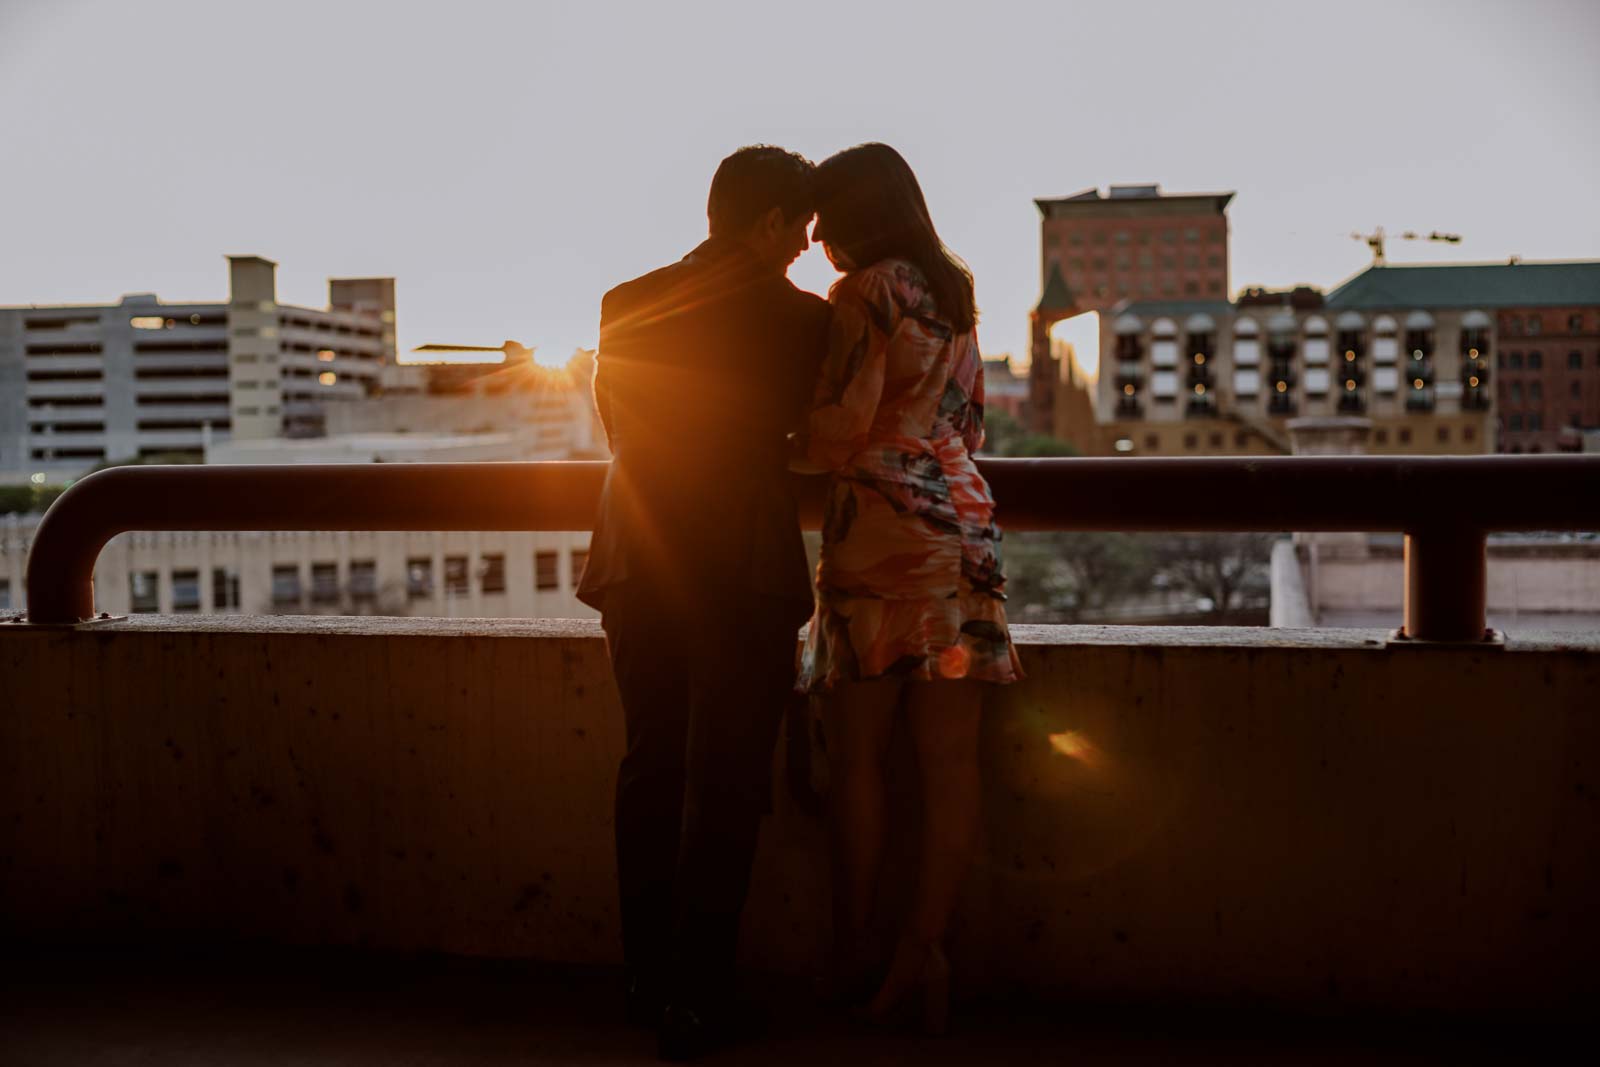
column 858, row 719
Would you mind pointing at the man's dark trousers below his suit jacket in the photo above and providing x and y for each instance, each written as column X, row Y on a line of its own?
column 705, row 687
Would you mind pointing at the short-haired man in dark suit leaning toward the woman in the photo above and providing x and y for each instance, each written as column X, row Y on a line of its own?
column 700, row 573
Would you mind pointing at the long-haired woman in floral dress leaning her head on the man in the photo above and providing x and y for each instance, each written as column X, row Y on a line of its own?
column 910, row 596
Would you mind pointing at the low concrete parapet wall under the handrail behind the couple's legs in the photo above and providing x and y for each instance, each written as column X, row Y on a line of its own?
column 1172, row 813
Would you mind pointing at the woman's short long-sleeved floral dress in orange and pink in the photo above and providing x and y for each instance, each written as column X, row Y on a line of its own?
column 911, row 581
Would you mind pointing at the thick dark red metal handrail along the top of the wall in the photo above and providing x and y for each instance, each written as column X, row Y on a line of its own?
column 1444, row 506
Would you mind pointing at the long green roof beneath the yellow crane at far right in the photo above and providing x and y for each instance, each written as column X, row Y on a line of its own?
column 1473, row 286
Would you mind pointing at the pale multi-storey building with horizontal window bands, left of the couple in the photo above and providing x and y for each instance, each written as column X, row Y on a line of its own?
column 87, row 385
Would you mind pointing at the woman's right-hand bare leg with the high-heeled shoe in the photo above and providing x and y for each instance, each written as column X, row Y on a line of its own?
column 943, row 719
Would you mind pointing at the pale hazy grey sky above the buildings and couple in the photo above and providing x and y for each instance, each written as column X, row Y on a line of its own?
column 510, row 162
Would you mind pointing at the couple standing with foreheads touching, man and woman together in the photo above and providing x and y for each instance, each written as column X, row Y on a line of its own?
column 716, row 378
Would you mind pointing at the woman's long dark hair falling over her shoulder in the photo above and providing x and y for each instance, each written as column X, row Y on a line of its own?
column 871, row 207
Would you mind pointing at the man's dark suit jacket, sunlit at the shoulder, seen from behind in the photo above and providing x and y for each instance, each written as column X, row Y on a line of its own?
column 705, row 367
